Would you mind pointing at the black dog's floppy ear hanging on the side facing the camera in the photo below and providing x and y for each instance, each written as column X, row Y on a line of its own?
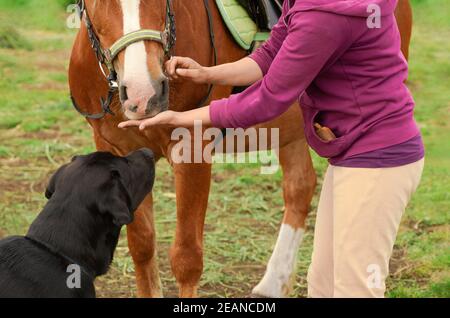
column 117, row 203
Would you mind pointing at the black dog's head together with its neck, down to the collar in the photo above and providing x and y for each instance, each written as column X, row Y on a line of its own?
column 90, row 199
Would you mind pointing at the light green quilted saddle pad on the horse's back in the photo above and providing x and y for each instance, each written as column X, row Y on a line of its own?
column 243, row 29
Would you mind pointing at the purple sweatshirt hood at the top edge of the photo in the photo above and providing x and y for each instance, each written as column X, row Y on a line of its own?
column 355, row 8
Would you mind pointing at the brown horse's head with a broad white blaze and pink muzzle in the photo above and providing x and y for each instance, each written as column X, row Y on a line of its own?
column 143, row 87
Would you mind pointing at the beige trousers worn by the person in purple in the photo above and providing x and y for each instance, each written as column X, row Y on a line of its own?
column 358, row 218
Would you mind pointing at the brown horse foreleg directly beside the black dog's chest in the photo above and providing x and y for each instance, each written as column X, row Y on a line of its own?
column 142, row 245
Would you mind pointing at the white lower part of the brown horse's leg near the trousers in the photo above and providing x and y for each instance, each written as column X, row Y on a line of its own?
column 277, row 281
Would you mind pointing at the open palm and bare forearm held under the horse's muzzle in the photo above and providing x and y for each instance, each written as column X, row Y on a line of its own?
column 172, row 119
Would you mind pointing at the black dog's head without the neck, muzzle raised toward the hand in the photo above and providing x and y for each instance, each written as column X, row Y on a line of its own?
column 112, row 187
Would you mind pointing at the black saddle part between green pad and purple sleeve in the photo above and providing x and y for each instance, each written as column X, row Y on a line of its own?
column 265, row 13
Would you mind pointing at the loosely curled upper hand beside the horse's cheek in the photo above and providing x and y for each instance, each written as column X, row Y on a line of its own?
column 186, row 68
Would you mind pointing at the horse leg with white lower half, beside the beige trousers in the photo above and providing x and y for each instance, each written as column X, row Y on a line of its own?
column 299, row 181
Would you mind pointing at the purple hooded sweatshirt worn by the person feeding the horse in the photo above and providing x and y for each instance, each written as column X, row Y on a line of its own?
column 347, row 73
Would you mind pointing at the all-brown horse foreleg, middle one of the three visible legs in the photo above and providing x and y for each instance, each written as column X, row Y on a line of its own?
column 192, row 182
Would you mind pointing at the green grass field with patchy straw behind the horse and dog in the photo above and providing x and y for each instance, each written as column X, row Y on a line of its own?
column 39, row 131
